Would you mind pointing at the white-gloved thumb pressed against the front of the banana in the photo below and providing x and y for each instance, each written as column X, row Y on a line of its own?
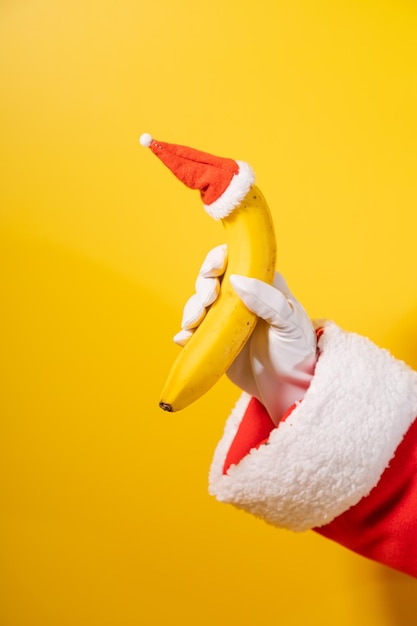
column 264, row 300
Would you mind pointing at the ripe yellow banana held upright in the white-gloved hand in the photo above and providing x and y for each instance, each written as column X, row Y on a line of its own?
column 228, row 323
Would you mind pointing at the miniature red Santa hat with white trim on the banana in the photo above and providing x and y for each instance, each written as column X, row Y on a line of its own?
column 223, row 183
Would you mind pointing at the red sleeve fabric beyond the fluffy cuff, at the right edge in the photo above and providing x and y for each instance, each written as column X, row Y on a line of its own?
column 383, row 525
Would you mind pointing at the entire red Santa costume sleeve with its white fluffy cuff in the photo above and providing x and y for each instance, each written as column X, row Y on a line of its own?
column 343, row 461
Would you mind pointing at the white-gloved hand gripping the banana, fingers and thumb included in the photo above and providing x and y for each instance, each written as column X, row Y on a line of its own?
column 277, row 363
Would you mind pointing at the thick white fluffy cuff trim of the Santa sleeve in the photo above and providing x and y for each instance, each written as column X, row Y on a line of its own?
column 335, row 445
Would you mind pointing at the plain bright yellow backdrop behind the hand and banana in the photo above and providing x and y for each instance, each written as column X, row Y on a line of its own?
column 104, row 516
